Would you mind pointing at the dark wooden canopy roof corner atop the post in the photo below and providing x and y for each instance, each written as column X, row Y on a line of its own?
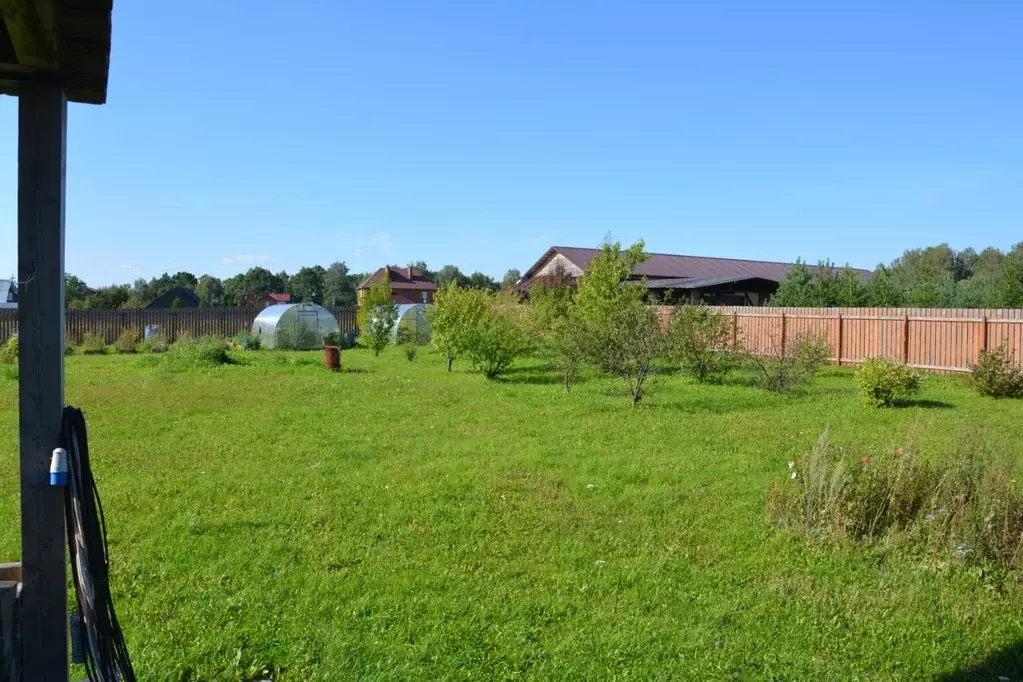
column 57, row 41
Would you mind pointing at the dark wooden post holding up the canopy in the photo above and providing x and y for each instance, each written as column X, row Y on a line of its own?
column 42, row 142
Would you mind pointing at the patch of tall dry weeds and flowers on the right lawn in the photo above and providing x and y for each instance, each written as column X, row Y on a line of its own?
column 968, row 506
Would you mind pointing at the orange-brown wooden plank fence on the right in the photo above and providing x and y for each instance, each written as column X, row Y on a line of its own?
column 932, row 339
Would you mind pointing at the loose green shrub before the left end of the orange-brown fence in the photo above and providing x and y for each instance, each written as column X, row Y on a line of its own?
column 697, row 340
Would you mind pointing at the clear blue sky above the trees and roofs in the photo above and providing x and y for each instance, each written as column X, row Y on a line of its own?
column 481, row 133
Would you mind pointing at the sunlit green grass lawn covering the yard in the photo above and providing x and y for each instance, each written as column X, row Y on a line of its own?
column 397, row 522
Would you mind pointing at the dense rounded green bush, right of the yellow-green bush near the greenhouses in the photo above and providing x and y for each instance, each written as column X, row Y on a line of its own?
column 499, row 337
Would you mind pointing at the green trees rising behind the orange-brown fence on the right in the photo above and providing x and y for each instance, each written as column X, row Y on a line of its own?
column 933, row 278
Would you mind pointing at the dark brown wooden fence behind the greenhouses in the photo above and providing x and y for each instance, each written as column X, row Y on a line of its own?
column 171, row 322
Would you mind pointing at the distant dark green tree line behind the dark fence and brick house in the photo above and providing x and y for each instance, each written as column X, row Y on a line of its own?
column 334, row 286
